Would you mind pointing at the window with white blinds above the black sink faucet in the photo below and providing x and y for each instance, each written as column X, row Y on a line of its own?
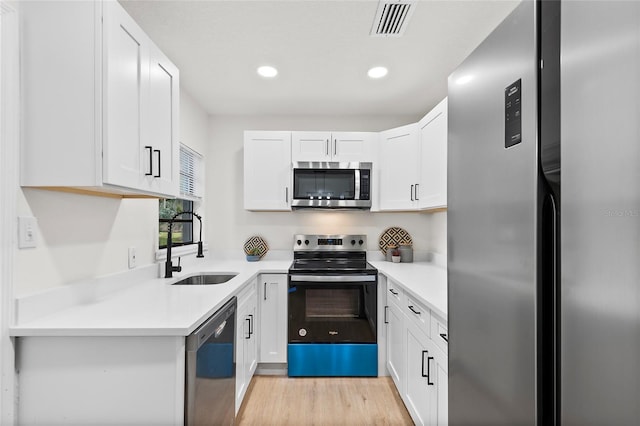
column 191, row 189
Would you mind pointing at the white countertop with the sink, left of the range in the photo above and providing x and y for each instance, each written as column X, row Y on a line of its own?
column 153, row 307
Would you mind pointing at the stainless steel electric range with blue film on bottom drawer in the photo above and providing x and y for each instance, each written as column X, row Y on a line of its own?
column 332, row 307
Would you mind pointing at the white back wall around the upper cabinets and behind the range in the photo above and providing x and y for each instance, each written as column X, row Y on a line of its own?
column 233, row 225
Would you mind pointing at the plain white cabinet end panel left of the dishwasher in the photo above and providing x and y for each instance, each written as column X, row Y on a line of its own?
column 115, row 380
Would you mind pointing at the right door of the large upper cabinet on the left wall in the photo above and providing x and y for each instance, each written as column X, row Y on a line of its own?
column 161, row 150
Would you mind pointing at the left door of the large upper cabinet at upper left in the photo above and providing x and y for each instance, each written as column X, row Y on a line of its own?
column 126, row 76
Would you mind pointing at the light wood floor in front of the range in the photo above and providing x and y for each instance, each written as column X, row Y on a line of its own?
column 278, row 400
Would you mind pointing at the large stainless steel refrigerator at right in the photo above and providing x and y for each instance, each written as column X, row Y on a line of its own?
column 544, row 219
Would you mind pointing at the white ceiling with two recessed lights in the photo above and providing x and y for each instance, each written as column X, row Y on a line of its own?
column 322, row 50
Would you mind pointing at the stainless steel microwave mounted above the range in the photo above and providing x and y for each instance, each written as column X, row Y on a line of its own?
column 331, row 185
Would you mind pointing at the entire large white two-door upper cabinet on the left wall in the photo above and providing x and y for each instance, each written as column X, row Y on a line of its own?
column 100, row 102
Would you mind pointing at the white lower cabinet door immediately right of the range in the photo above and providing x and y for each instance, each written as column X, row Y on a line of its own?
column 396, row 346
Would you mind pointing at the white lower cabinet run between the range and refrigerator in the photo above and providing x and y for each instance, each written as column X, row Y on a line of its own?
column 416, row 362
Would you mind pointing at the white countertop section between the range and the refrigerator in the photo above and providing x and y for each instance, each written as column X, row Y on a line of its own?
column 422, row 280
